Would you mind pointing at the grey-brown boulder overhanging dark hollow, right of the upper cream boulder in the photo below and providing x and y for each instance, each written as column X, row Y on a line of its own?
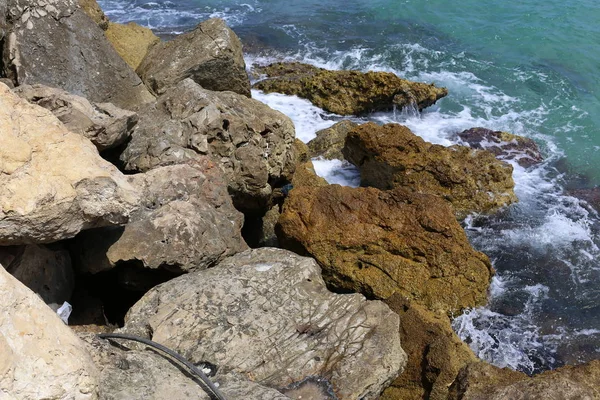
column 186, row 222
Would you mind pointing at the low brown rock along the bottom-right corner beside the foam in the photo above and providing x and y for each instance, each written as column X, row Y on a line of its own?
column 481, row 381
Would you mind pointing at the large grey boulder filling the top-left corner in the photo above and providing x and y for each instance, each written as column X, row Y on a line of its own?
column 54, row 43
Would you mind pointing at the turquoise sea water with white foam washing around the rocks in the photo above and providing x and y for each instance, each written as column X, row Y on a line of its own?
column 531, row 68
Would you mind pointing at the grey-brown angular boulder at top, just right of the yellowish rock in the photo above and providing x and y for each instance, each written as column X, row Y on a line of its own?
column 211, row 55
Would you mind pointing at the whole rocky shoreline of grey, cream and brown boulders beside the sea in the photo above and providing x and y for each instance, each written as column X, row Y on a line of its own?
column 135, row 175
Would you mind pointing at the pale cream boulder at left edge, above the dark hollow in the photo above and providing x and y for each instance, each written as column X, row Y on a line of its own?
column 54, row 182
